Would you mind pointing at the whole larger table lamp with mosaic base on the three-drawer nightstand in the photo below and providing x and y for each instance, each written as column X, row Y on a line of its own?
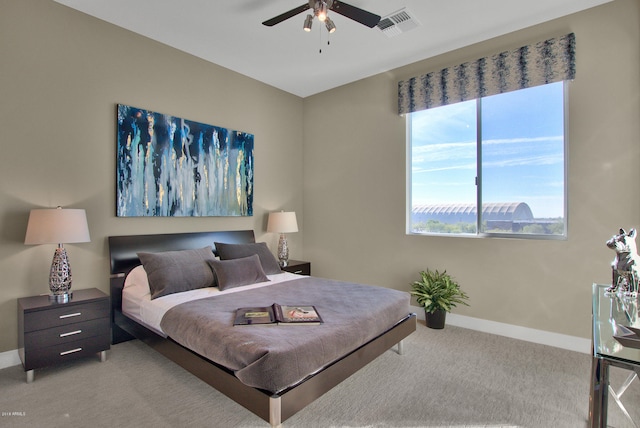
column 58, row 226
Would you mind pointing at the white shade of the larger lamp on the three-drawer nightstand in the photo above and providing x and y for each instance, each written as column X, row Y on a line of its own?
column 57, row 226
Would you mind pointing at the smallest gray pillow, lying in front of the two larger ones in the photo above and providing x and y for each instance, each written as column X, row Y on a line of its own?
column 238, row 272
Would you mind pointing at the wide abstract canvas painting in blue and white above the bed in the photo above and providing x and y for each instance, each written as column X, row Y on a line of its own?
column 169, row 166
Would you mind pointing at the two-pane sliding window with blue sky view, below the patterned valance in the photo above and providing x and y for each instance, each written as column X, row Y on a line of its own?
column 504, row 153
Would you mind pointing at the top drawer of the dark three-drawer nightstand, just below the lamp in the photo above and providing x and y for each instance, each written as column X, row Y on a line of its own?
column 65, row 314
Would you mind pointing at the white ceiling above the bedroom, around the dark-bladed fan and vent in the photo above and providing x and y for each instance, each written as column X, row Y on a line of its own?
column 229, row 33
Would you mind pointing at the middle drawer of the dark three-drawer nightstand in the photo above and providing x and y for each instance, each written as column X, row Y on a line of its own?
column 66, row 333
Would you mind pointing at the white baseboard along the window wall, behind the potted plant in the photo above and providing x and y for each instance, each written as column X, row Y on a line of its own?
column 563, row 341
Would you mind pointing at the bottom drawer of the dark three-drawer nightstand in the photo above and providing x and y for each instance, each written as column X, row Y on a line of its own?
column 53, row 355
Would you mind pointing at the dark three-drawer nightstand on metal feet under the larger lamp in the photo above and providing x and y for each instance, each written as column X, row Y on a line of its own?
column 51, row 333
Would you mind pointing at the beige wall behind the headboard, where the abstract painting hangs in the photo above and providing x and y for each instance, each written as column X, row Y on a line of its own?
column 61, row 75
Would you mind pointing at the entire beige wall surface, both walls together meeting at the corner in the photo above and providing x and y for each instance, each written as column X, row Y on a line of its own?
column 62, row 73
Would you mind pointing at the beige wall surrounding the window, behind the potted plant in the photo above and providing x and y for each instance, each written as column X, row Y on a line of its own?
column 354, row 195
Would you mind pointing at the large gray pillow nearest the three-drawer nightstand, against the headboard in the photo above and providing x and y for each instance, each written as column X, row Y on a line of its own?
column 176, row 271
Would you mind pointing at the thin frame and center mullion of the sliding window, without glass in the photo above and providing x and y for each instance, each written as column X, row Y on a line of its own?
column 479, row 233
